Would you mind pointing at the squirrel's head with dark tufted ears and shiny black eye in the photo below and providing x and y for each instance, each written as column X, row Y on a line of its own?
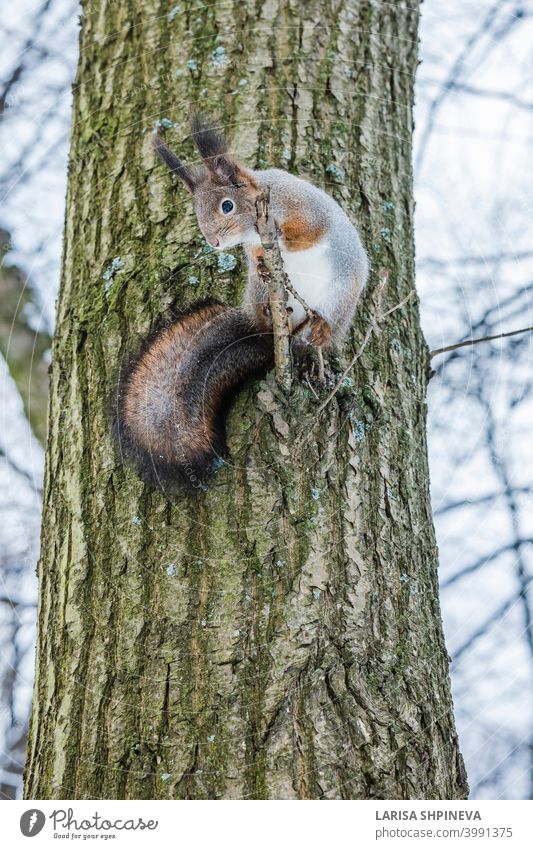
column 223, row 191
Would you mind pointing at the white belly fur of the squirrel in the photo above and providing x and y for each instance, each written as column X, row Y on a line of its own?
column 311, row 275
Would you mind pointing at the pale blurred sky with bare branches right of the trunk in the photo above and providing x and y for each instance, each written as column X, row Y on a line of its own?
column 475, row 271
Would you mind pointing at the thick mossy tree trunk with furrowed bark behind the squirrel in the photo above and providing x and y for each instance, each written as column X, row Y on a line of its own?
column 277, row 635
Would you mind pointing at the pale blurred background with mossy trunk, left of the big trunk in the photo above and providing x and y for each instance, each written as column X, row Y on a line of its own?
column 37, row 56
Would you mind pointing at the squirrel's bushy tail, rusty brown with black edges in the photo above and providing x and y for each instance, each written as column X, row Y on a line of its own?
column 172, row 400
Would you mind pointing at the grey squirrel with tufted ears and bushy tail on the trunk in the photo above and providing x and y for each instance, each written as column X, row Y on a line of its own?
column 172, row 400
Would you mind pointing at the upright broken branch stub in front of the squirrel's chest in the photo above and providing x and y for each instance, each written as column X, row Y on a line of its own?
column 274, row 275
